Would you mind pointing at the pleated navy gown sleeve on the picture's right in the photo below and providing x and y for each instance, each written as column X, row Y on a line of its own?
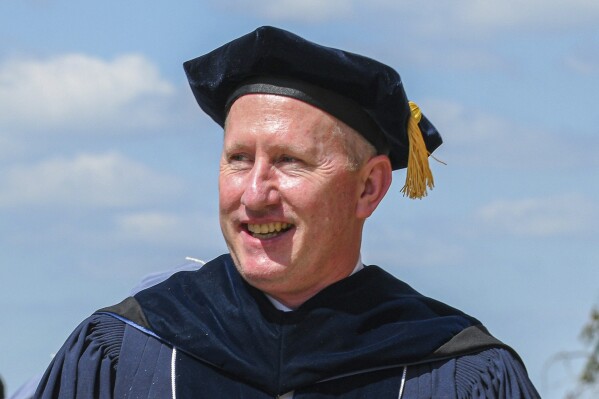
column 493, row 373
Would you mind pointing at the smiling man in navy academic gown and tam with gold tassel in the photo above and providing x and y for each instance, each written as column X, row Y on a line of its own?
column 311, row 137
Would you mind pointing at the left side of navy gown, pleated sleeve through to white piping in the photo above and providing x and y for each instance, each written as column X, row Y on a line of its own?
column 108, row 358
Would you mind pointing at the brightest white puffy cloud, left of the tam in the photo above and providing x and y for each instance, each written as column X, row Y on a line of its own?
column 80, row 91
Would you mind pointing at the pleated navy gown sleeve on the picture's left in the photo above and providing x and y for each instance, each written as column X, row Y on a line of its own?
column 85, row 366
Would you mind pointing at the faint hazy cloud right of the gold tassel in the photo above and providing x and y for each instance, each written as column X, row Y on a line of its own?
column 476, row 138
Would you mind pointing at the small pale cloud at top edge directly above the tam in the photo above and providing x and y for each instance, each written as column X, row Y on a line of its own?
column 293, row 10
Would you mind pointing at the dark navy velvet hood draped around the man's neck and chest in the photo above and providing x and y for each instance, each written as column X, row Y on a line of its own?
column 214, row 316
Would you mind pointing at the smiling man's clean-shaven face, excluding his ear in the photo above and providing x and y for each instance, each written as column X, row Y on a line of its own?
column 287, row 197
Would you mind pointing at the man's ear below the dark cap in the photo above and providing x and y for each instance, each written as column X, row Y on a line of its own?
column 376, row 177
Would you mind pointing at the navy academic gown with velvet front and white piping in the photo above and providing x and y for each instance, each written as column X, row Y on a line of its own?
column 208, row 334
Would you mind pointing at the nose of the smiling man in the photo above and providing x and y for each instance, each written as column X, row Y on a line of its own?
column 260, row 189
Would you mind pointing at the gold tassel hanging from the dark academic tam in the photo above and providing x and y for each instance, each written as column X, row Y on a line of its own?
column 418, row 175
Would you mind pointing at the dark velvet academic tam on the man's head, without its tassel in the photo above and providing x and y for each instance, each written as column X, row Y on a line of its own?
column 366, row 94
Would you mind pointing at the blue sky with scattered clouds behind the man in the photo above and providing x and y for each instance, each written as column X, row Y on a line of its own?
column 108, row 168
